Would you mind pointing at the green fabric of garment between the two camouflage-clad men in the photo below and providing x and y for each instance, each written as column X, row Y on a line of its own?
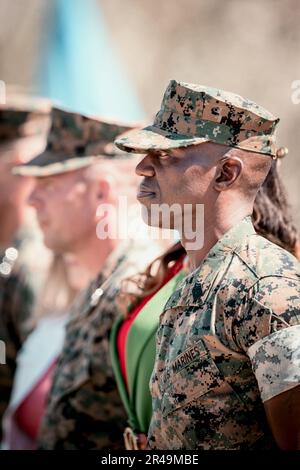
column 140, row 356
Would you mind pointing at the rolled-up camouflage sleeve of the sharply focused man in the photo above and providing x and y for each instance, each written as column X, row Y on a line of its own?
column 269, row 333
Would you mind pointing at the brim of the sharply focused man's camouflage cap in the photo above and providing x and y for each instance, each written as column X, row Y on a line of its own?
column 154, row 138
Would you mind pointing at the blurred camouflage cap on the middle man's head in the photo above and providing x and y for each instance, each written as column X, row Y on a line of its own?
column 74, row 141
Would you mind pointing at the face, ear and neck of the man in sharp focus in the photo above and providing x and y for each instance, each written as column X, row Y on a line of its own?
column 208, row 174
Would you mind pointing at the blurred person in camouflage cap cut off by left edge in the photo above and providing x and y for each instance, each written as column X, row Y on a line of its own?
column 24, row 122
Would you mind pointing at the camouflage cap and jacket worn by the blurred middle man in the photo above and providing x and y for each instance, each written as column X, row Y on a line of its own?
column 84, row 410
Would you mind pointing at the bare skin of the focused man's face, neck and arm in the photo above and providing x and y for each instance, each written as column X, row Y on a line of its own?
column 226, row 181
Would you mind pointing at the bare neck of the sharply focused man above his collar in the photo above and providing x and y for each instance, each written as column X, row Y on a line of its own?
column 215, row 224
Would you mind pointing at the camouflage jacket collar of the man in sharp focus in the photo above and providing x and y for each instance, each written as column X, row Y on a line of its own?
column 195, row 288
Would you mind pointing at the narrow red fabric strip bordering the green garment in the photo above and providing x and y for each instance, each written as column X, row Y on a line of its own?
column 127, row 323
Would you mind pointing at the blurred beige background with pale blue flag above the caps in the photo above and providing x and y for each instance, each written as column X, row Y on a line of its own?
column 115, row 57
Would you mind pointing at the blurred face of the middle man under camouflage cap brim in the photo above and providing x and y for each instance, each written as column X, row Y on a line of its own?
column 66, row 210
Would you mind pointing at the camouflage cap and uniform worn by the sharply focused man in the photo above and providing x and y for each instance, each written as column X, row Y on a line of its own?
column 229, row 336
